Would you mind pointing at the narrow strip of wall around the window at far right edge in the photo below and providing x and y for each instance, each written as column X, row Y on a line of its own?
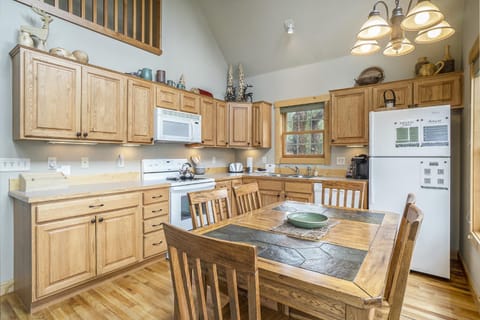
column 468, row 251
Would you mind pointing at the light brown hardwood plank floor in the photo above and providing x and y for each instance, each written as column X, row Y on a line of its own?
column 147, row 294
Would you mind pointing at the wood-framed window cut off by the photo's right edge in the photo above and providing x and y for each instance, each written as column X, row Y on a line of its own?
column 475, row 137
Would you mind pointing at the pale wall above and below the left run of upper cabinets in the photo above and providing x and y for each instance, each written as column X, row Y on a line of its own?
column 189, row 48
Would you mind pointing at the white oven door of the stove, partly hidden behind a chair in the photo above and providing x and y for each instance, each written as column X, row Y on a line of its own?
column 180, row 206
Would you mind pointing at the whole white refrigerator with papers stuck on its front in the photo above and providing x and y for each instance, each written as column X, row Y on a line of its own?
column 409, row 151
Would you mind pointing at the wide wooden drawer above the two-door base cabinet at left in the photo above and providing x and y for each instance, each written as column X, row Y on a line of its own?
column 71, row 208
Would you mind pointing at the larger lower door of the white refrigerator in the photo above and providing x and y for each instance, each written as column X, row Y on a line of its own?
column 391, row 179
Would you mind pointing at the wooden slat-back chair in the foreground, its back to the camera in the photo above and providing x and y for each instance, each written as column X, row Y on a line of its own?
column 196, row 259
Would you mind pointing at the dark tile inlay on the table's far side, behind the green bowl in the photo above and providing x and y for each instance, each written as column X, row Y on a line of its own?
column 354, row 215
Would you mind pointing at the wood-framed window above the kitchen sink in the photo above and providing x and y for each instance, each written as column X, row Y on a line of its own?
column 302, row 135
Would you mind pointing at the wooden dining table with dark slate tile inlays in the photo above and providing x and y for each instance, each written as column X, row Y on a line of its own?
column 340, row 276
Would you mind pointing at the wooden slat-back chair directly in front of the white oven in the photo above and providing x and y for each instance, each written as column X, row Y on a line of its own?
column 209, row 207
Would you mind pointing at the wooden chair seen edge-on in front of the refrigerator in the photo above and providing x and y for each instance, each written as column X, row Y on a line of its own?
column 400, row 263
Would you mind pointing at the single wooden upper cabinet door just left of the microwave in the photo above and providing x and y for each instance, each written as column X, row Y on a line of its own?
column 140, row 111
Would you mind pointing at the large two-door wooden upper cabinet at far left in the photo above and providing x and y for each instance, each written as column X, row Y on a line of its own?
column 56, row 98
